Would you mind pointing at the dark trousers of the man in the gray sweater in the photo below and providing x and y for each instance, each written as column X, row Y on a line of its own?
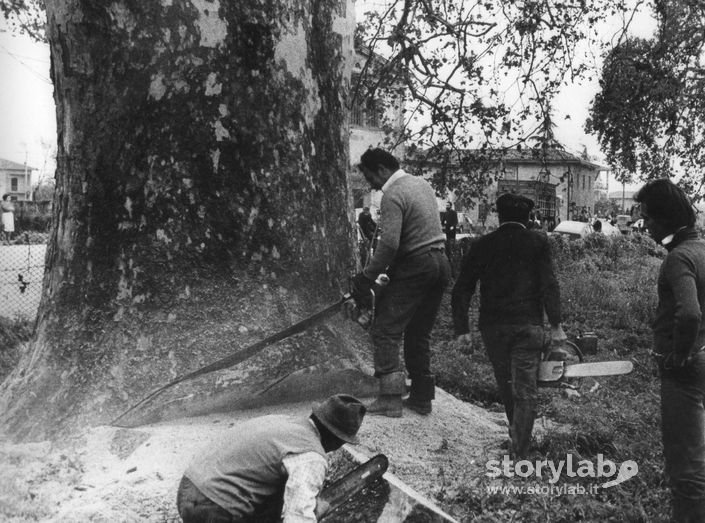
column 408, row 309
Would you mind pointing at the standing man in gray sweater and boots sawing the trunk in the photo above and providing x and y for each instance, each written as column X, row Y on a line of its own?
column 411, row 253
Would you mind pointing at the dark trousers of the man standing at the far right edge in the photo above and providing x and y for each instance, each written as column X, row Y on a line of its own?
column 683, row 426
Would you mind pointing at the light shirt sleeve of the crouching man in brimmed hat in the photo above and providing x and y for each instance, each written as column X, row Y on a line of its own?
column 306, row 472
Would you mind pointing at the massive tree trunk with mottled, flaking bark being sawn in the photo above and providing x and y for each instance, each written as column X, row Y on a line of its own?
column 201, row 204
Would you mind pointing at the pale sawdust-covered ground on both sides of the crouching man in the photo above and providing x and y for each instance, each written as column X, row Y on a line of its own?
column 110, row 474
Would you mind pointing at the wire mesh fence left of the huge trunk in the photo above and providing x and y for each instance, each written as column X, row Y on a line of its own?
column 21, row 273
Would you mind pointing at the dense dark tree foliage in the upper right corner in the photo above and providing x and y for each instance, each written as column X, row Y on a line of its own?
column 650, row 113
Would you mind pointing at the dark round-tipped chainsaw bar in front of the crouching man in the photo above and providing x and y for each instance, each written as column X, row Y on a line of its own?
column 341, row 491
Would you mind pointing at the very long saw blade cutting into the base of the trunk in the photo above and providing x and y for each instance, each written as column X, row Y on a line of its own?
column 243, row 354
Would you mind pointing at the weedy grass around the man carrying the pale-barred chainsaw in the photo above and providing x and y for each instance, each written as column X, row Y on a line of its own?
column 609, row 287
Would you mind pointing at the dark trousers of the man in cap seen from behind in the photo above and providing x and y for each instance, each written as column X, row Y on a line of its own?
column 515, row 353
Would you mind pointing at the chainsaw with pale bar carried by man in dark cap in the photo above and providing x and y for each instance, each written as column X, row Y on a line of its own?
column 566, row 362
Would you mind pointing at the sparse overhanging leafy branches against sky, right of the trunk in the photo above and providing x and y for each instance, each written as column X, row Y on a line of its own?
column 480, row 76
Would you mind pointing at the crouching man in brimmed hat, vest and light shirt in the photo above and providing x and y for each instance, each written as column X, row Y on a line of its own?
column 269, row 468
